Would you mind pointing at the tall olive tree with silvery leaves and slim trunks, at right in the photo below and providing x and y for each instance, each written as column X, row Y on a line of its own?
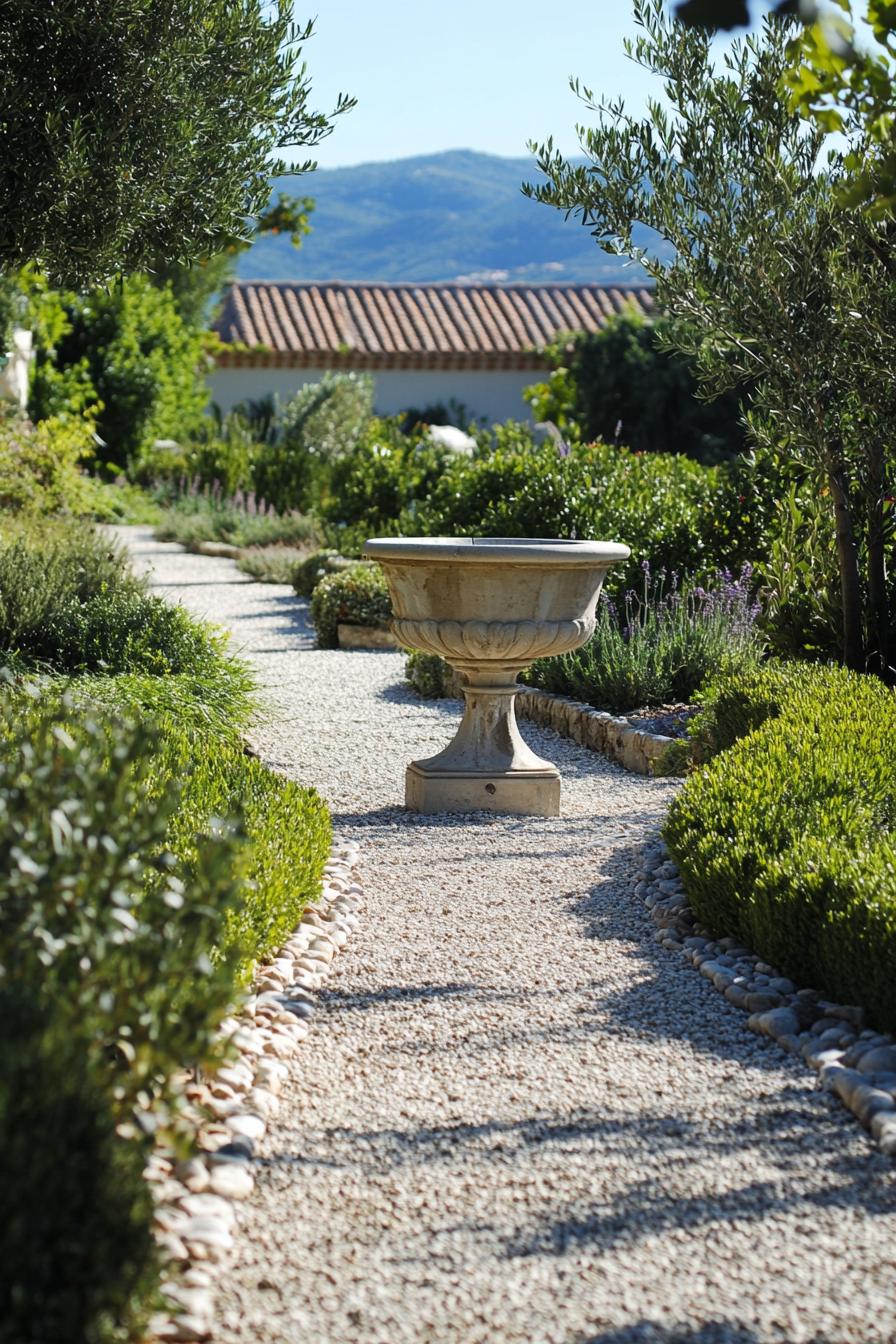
column 774, row 282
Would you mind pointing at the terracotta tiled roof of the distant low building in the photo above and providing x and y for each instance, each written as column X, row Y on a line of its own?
column 393, row 326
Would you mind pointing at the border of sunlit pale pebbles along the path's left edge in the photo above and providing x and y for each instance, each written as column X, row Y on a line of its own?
column 198, row 1200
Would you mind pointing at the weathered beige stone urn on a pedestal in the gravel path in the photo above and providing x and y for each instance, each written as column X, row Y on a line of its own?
column 490, row 607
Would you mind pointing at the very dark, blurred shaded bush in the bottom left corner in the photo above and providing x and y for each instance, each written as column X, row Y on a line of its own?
column 79, row 1257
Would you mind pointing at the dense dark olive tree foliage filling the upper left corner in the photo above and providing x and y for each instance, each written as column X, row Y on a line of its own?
column 138, row 132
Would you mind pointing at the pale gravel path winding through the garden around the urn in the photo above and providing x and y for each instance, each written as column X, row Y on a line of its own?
column 521, row 1120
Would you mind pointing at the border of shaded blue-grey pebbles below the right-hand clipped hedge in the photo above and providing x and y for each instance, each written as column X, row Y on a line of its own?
column 854, row 1062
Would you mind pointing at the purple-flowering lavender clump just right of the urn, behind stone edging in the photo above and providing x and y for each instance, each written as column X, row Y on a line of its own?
column 659, row 646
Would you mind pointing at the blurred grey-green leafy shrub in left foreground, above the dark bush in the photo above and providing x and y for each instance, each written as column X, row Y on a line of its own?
column 96, row 920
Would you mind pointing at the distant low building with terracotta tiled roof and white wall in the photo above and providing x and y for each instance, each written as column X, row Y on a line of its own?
column 425, row 345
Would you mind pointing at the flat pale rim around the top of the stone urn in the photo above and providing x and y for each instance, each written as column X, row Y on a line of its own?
column 541, row 552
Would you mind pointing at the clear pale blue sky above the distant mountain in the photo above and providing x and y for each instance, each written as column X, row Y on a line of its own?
column 465, row 75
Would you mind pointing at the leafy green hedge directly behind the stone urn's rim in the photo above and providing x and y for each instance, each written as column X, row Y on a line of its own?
column 672, row 510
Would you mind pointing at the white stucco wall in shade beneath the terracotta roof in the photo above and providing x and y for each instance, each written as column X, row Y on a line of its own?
column 494, row 396
